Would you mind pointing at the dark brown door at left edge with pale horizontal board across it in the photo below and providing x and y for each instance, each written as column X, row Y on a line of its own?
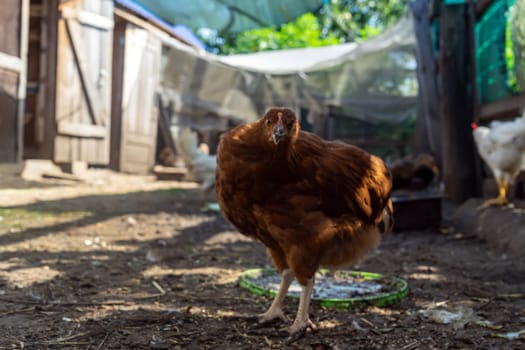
column 13, row 50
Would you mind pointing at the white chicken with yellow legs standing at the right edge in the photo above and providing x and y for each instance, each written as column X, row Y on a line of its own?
column 502, row 147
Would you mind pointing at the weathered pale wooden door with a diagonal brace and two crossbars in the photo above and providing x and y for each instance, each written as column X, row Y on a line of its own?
column 83, row 81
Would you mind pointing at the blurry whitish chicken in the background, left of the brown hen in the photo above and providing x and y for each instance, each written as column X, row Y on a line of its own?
column 201, row 166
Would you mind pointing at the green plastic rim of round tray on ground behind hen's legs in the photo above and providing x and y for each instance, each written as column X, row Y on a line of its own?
column 399, row 293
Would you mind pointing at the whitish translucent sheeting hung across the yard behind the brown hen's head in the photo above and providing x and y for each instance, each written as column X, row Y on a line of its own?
column 374, row 80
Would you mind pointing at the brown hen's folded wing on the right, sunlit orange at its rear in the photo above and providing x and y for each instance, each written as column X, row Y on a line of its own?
column 347, row 179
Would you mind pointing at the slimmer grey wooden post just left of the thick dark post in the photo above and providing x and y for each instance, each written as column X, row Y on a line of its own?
column 427, row 125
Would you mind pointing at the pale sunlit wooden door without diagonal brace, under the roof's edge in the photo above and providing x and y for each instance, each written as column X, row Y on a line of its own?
column 135, row 110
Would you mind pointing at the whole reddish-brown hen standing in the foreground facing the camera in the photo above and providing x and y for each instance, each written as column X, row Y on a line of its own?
column 311, row 202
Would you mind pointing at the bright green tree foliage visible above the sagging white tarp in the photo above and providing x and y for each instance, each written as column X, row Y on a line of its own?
column 337, row 22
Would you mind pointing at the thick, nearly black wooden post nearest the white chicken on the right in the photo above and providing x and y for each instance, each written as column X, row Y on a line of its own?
column 457, row 102
